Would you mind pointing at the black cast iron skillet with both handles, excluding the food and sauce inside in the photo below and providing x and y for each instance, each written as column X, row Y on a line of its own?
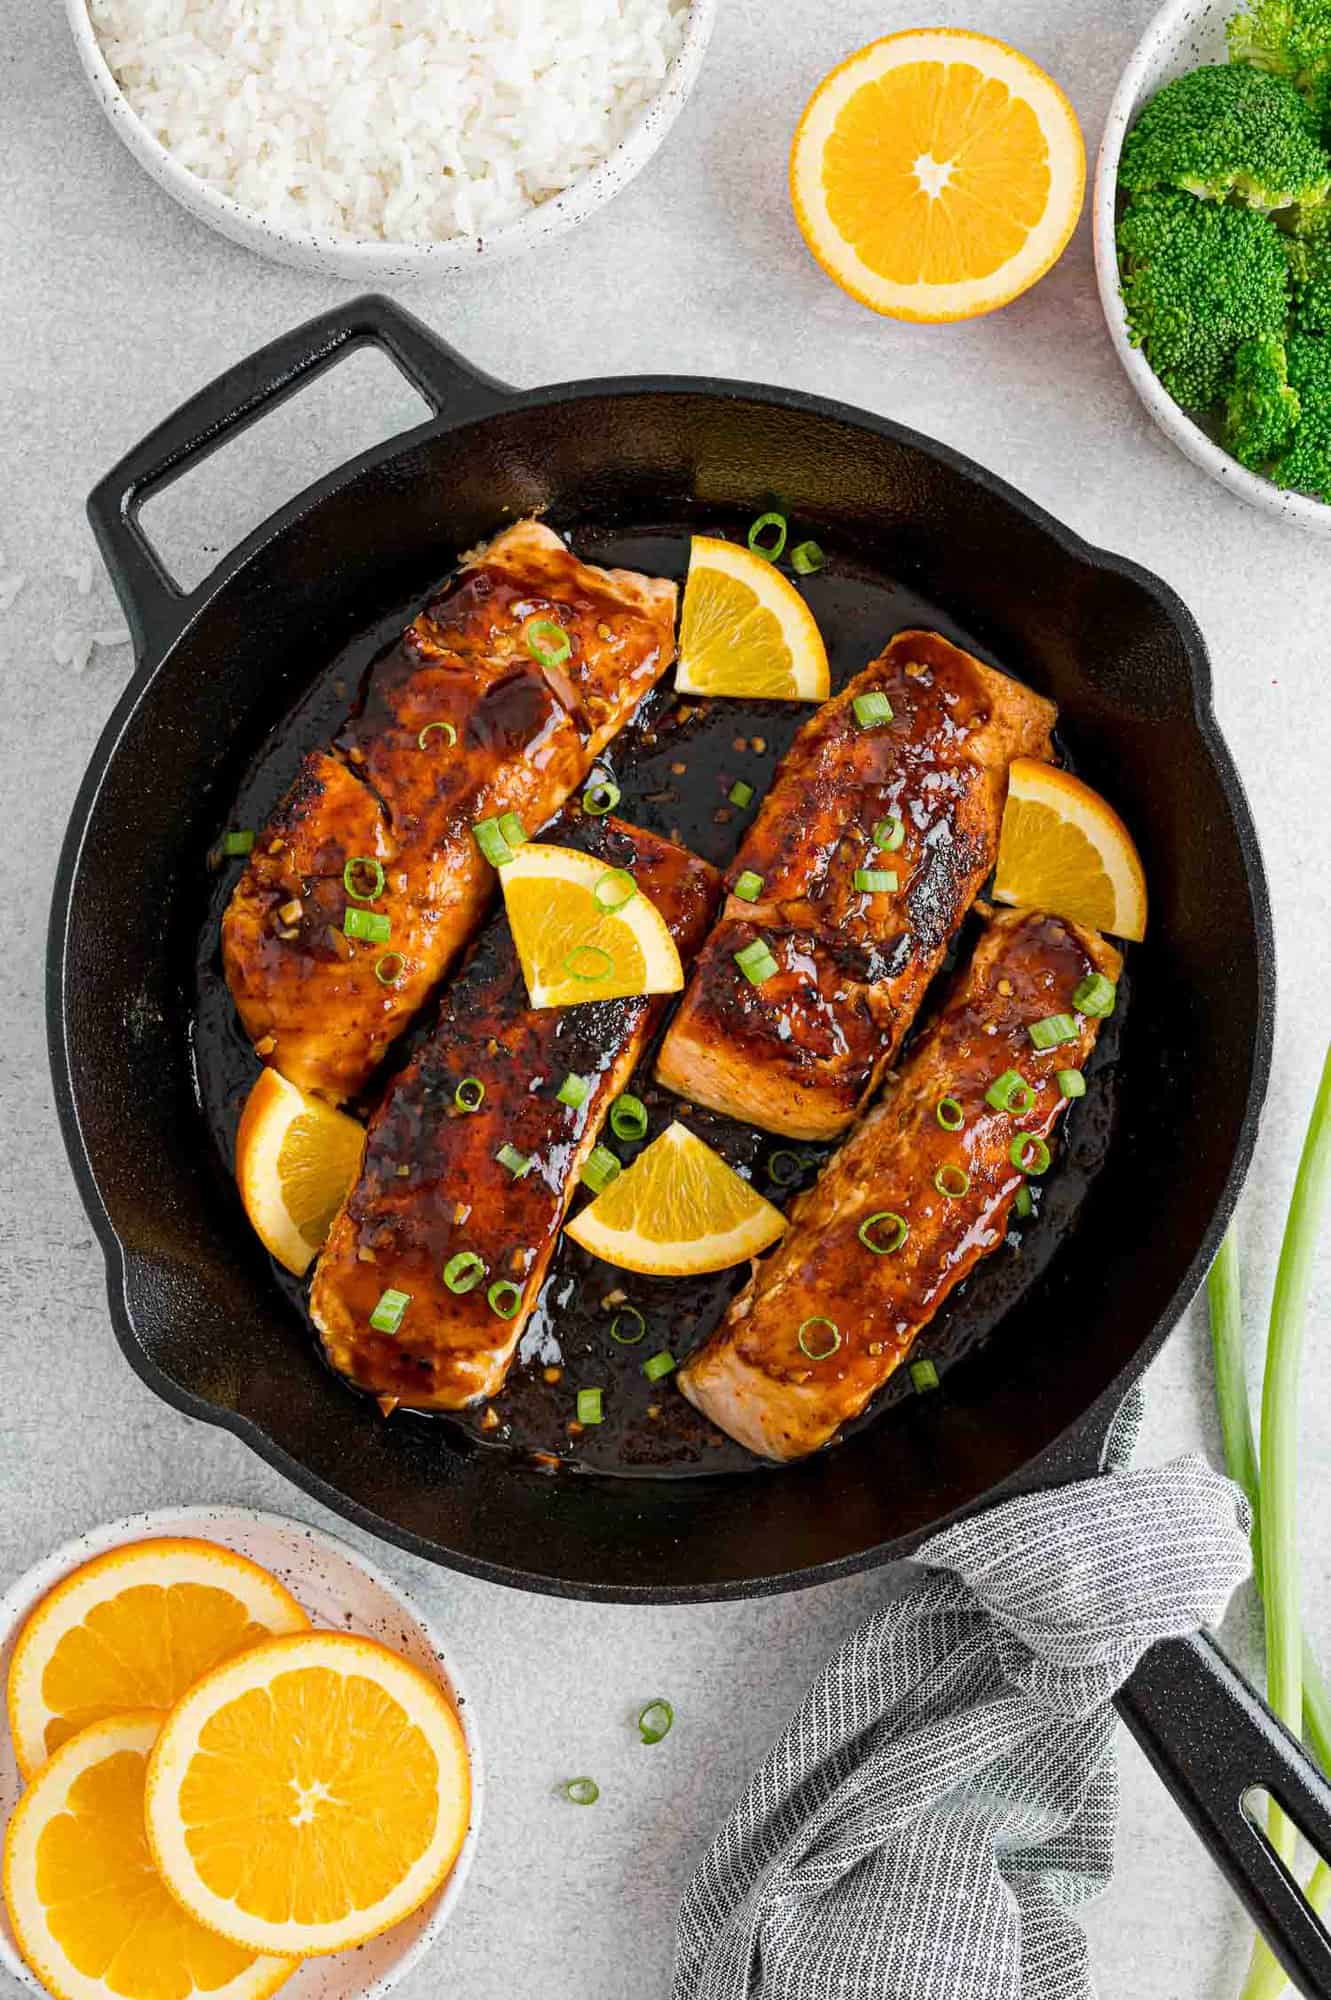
column 191, row 1293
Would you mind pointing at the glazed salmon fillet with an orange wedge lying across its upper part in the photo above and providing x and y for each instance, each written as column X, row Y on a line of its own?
column 433, row 1185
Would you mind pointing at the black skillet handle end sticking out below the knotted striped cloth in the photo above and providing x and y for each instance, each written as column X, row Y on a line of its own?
column 1214, row 1741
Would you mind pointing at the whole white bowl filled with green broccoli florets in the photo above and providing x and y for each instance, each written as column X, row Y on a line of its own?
column 1214, row 243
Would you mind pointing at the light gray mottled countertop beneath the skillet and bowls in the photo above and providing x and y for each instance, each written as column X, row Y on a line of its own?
column 113, row 309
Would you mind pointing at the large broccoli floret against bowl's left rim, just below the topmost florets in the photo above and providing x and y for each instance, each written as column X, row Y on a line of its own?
column 1198, row 281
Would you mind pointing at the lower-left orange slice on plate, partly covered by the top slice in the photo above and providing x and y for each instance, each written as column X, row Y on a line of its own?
column 89, row 1909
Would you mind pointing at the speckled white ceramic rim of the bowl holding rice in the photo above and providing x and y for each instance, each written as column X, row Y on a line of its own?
column 375, row 261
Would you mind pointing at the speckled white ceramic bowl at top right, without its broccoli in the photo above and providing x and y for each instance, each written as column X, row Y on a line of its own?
column 1182, row 37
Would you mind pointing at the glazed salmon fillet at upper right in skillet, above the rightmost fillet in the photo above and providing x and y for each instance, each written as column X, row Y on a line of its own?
column 802, row 1051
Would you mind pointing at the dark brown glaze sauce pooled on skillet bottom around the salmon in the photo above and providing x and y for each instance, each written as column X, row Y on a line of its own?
column 716, row 745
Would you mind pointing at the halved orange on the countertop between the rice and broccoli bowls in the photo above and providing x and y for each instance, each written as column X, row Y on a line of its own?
column 936, row 175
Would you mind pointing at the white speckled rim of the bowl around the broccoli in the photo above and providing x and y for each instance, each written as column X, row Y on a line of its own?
column 1192, row 441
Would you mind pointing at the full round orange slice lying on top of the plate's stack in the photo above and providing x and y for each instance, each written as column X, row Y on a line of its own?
column 309, row 1795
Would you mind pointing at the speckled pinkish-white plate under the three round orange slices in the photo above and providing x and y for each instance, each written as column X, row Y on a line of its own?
column 339, row 1589
